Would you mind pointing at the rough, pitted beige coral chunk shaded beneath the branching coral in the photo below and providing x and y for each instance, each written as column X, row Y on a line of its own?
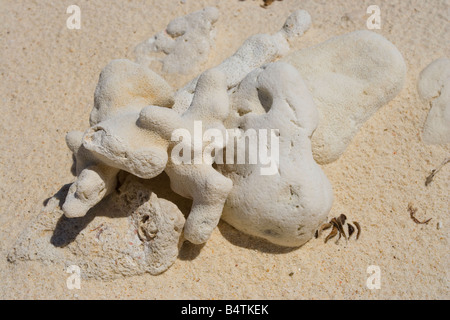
column 132, row 232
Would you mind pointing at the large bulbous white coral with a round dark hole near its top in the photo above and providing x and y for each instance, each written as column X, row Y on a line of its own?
column 287, row 207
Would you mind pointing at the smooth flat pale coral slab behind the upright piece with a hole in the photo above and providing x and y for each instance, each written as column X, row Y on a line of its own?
column 350, row 78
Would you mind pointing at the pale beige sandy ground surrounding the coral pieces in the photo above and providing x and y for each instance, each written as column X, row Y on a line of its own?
column 48, row 77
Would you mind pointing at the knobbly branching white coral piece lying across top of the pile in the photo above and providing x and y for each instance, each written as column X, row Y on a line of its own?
column 139, row 141
